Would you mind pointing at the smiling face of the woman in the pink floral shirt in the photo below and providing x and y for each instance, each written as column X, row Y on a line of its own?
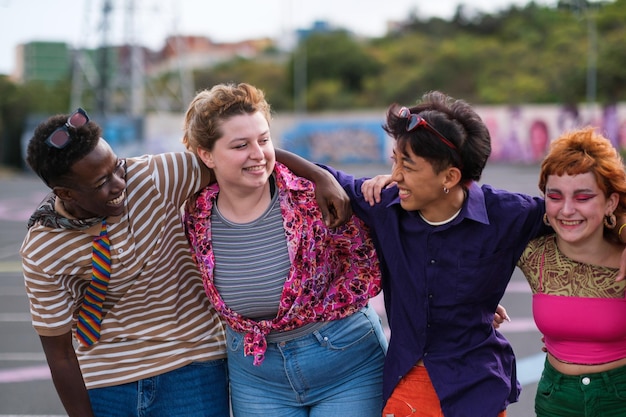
column 243, row 158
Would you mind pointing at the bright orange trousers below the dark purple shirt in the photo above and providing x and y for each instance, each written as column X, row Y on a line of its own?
column 415, row 396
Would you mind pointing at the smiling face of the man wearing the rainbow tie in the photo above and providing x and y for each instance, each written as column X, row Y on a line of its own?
column 96, row 184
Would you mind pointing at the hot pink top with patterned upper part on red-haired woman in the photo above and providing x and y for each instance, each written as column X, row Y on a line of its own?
column 581, row 323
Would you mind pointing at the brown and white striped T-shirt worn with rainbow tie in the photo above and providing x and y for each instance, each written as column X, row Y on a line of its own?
column 157, row 316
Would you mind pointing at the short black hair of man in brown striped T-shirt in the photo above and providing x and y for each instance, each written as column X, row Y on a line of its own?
column 53, row 165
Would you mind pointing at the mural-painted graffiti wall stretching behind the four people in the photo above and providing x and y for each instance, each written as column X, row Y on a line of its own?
column 519, row 134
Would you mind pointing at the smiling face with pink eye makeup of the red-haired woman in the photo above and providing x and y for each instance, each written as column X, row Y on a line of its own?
column 576, row 207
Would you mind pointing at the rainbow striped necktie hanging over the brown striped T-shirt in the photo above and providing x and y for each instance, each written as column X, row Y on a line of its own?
column 90, row 314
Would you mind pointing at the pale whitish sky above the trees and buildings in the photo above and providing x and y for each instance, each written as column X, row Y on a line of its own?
column 79, row 22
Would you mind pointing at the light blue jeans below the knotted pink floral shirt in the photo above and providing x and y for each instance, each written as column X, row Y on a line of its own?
column 336, row 371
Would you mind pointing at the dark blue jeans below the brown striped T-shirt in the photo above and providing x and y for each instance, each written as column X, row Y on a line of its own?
column 199, row 389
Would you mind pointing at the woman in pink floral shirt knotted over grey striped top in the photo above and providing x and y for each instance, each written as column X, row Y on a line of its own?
column 302, row 339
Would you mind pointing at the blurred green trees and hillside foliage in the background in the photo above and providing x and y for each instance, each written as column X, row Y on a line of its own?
column 529, row 54
